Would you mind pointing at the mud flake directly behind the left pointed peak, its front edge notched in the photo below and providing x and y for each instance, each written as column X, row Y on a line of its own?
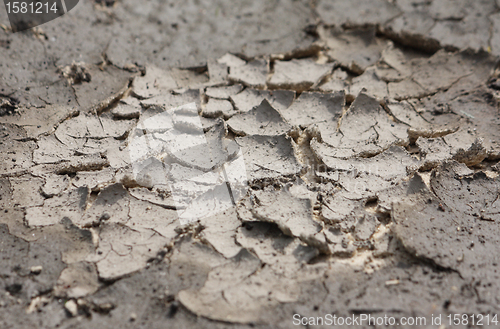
column 250, row 98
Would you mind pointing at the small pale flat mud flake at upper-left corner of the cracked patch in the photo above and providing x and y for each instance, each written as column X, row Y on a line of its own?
column 155, row 82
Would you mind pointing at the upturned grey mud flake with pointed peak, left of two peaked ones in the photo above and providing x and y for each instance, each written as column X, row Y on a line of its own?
column 261, row 120
